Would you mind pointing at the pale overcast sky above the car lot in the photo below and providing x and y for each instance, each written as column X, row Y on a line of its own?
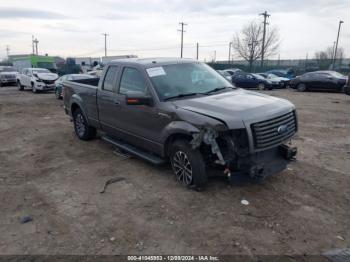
column 149, row 27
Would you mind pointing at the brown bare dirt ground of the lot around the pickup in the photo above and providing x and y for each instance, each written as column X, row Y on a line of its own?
column 48, row 174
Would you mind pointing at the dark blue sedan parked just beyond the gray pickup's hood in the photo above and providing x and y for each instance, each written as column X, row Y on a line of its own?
column 246, row 80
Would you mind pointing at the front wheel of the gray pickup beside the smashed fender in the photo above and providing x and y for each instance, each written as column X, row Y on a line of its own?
column 188, row 165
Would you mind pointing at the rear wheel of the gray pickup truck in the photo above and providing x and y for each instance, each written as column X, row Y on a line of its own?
column 81, row 127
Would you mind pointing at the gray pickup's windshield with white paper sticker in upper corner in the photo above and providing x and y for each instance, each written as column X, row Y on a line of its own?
column 184, row 79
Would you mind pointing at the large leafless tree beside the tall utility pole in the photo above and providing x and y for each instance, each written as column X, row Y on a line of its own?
column 248, row 43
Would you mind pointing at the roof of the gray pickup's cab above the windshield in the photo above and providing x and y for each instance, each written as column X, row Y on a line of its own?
column 152, row 62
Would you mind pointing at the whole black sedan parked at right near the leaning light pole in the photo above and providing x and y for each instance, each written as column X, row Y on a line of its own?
column 319, row 80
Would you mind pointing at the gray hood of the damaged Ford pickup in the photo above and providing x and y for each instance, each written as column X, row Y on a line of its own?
column 237, row 108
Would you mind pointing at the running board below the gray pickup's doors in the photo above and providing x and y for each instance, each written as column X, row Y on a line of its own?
column 134, row 150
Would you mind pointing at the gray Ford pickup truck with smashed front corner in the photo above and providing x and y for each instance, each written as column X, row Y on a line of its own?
column 183, row 111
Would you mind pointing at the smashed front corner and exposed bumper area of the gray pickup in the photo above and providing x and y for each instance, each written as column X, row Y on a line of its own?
column 229, row 150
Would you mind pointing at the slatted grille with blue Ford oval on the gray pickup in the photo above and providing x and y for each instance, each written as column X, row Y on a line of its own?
column 274, row 131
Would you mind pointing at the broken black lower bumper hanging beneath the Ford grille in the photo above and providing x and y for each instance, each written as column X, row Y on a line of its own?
column 265, row 163
